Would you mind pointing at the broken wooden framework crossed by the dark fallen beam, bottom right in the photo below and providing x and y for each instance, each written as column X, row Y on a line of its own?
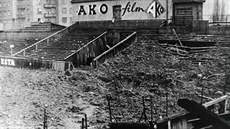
column 186, row 120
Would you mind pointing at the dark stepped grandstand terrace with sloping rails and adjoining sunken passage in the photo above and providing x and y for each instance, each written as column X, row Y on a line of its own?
column 75, row 45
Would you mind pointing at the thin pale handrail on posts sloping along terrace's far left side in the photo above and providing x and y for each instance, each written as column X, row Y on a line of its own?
column 40, row 41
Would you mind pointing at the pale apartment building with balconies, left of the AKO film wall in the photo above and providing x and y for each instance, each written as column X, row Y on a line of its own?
column 18, row 14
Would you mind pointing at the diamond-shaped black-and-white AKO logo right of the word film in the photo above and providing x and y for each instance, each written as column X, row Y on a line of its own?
column 156, row 9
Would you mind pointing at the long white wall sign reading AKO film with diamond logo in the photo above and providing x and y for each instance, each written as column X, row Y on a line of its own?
column 124, row 9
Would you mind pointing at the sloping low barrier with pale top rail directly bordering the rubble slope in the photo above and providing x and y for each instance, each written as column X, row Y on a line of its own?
column 113, row 50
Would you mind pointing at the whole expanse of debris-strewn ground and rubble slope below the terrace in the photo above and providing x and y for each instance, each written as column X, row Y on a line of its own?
column 143, row 69
